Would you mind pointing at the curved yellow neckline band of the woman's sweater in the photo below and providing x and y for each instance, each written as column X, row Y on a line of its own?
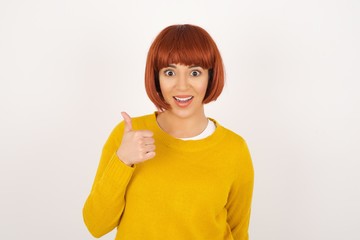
column 187, row 145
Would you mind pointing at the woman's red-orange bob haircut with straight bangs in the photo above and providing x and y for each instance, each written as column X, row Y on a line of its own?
column 187, row 45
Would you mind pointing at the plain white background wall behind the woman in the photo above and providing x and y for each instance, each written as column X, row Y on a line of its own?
column 68, row 68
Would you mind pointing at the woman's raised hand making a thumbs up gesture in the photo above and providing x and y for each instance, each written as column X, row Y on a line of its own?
column 136, row 146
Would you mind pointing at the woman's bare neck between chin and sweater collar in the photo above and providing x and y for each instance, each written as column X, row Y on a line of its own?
column 179, row 127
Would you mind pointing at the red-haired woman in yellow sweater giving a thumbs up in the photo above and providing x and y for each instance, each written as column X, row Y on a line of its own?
column 197, row 183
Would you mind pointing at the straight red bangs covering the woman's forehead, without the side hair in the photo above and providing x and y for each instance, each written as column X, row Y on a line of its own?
column 185, row 46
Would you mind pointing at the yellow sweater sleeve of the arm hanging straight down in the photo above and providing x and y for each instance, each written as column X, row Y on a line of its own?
column 240, row 196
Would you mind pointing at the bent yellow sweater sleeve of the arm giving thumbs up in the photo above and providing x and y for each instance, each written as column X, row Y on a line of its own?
column 105, row 203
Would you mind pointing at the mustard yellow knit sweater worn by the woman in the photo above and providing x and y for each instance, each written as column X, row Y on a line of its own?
column 191, row 190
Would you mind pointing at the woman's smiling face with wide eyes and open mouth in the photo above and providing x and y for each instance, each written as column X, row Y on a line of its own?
column 184, row 88
